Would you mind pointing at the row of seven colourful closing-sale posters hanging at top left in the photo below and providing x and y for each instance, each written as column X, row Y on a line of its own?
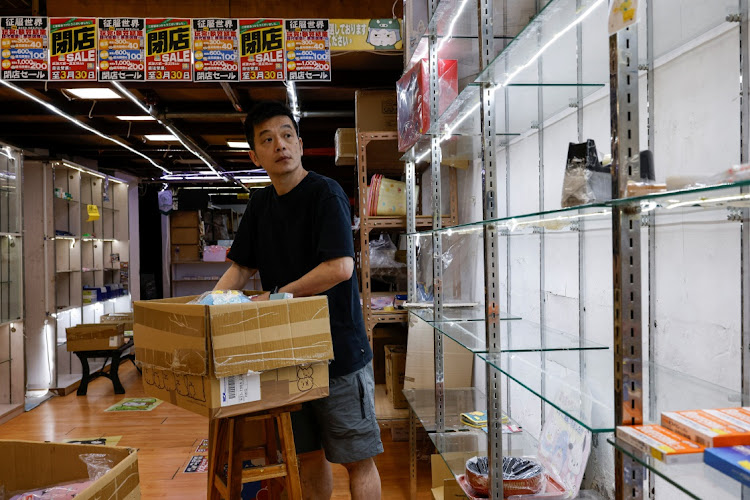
column 170, row 49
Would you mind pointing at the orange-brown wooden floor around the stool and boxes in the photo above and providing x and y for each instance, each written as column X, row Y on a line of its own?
column 166, row 437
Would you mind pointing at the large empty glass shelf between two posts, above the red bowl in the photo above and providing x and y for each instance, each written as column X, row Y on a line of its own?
column 556, row 378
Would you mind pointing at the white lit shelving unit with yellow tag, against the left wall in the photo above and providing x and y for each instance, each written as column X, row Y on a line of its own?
column 77, row 229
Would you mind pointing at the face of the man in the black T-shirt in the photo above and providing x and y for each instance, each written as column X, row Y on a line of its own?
column 277, row 147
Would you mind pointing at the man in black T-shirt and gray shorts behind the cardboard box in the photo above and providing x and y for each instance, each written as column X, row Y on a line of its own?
column 297, row 234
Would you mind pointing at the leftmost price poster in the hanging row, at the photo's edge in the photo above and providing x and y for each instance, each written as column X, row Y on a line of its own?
column 24, row 48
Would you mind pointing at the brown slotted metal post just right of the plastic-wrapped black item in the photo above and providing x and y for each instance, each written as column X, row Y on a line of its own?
column 626, row 229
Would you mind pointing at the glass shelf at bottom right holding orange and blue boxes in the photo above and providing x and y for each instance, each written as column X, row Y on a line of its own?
column 697, row 480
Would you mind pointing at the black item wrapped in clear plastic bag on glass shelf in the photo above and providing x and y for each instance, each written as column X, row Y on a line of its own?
column 586, row 180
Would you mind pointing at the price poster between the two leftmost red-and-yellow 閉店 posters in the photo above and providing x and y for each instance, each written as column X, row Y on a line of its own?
column 122, row 52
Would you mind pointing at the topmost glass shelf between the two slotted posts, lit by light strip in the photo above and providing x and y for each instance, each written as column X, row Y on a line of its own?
column 517, row 63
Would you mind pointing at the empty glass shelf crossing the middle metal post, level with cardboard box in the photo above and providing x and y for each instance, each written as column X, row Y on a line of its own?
column 517, row 335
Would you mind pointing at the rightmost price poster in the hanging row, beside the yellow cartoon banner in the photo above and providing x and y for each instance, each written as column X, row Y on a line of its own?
column 308, row 50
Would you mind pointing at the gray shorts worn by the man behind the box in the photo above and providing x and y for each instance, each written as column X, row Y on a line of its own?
column 344, row 423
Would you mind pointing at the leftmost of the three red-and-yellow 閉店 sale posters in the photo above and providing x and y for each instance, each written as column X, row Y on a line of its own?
column 72, row 48
